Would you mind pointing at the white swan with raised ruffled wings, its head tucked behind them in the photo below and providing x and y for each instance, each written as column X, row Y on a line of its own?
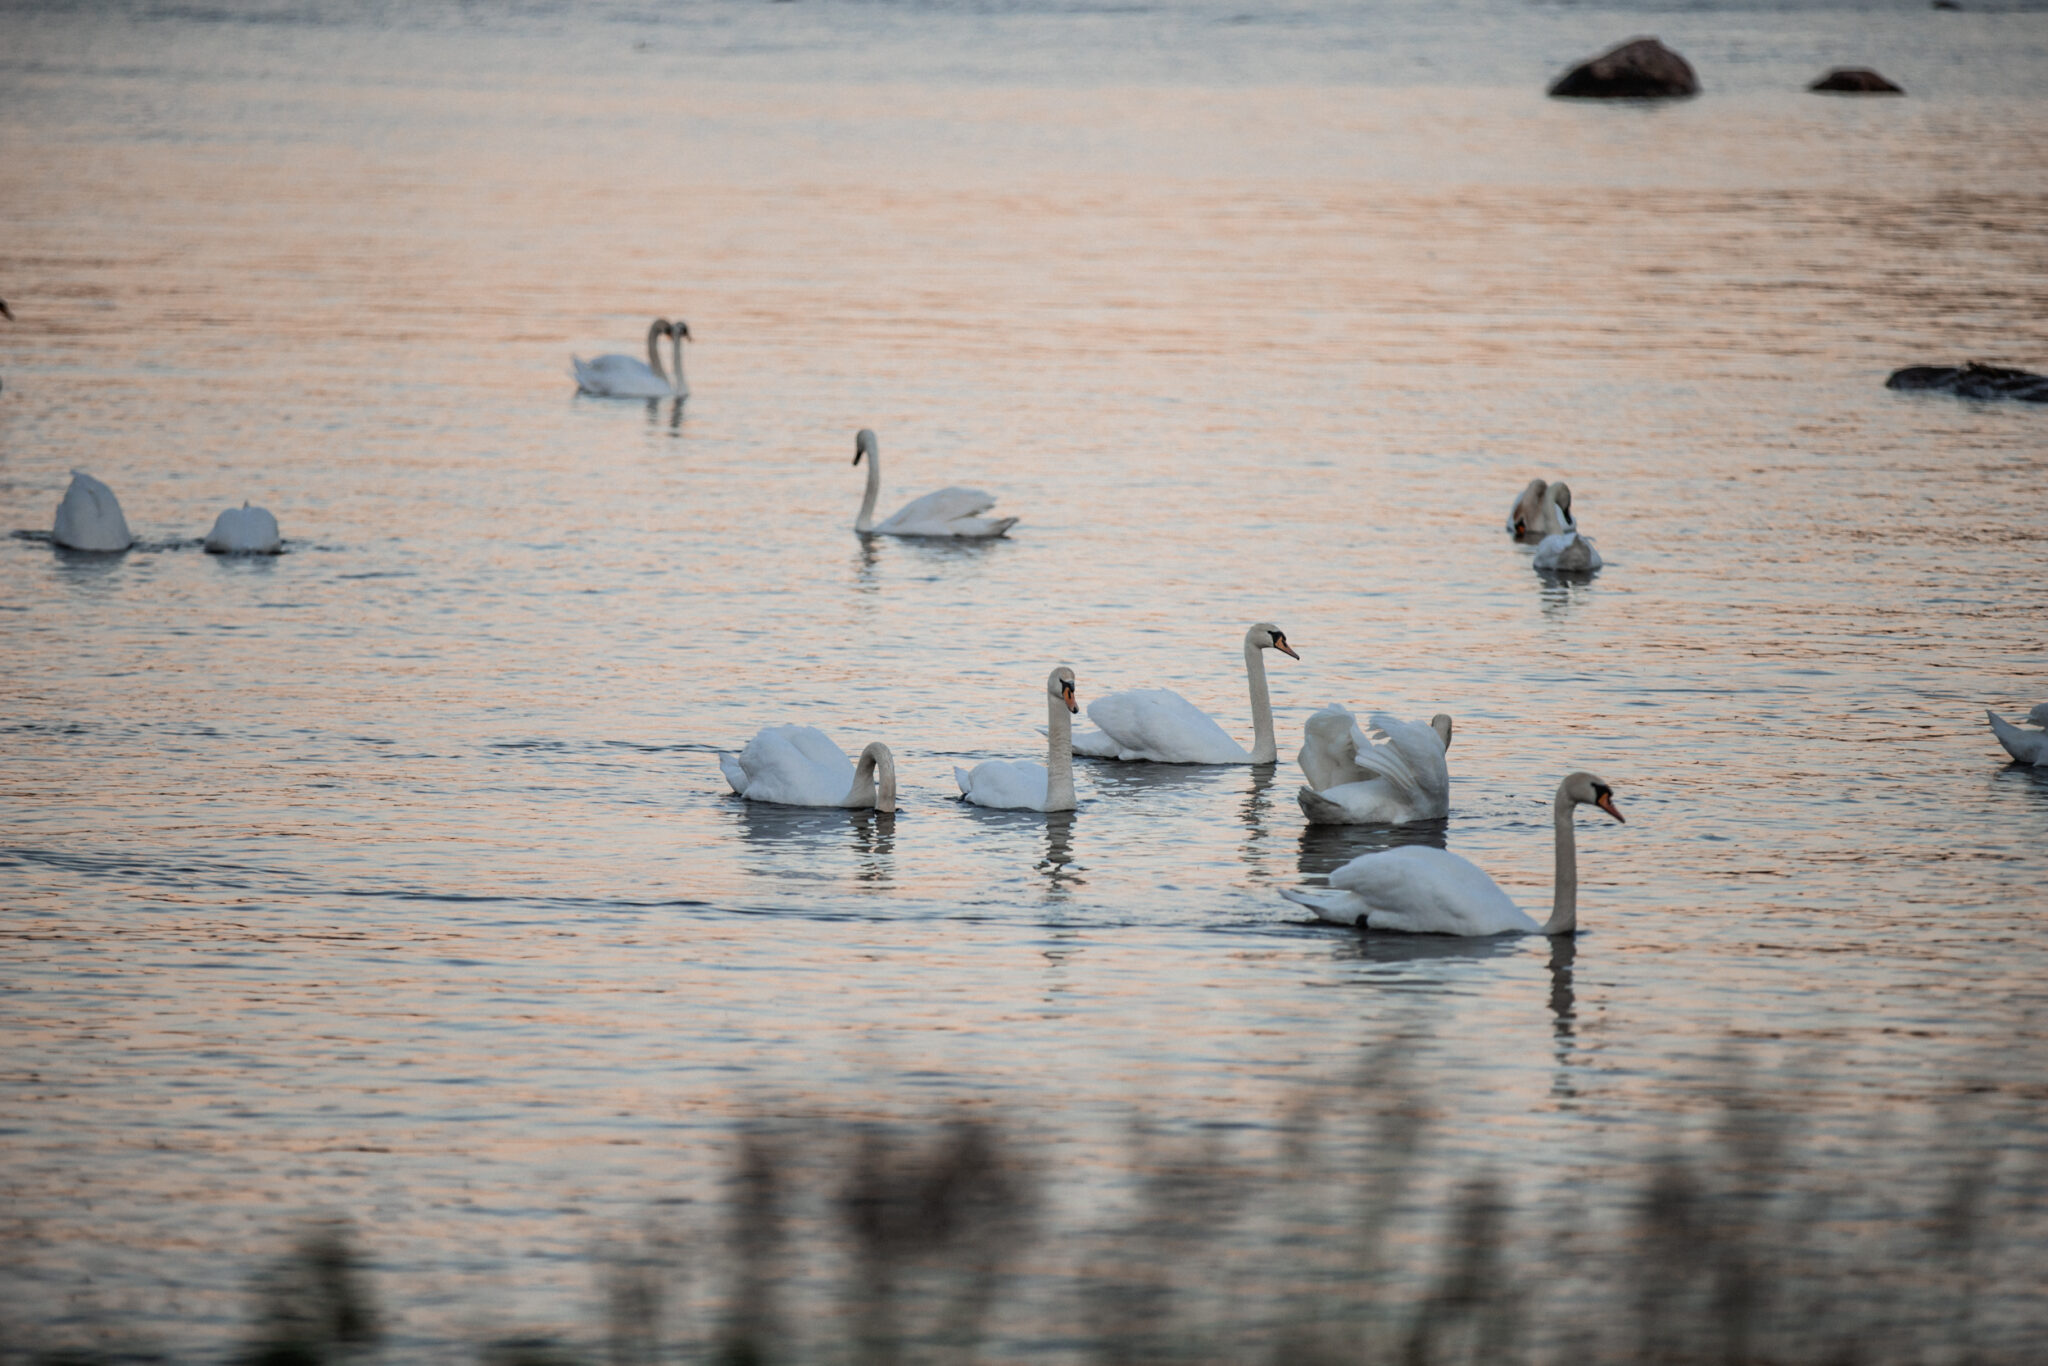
column 1355, row 781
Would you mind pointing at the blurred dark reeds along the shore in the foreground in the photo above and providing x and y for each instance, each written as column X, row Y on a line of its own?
column 1748, row 1238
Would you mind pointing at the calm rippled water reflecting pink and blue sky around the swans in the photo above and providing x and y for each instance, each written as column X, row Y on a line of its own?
column 396, row 876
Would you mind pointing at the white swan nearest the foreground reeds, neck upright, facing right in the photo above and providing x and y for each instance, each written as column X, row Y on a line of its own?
column 1422, row 890
